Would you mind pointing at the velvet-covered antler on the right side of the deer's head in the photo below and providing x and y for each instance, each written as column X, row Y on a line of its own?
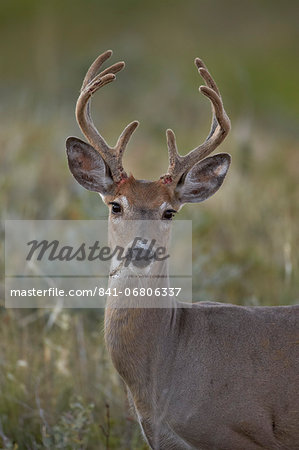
column 178, row 165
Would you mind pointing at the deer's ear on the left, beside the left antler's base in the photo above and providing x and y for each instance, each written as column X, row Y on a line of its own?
column 88, row 167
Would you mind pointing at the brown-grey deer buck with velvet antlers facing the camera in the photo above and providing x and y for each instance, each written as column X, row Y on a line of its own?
column 200, row 376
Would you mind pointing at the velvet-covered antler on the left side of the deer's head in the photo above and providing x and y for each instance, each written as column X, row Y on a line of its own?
column 91, row 83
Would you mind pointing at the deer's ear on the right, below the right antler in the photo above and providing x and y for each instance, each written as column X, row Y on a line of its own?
column 204, row 179
